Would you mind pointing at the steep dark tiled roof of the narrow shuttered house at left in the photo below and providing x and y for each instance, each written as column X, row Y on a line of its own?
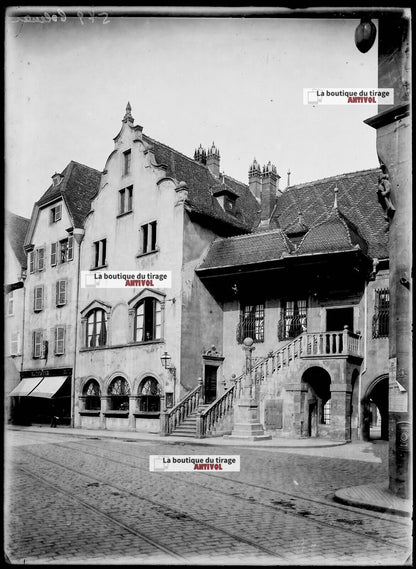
column 78, row 187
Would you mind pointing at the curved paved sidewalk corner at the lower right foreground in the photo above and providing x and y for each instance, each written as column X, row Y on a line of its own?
column 375, row 497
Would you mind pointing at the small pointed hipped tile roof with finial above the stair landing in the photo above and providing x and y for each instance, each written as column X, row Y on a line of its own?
column 335, row 233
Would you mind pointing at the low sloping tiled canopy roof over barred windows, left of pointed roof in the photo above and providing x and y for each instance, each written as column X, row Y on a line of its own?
column 247, row 249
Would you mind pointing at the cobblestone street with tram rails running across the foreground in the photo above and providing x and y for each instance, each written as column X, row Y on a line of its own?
column 71, row 499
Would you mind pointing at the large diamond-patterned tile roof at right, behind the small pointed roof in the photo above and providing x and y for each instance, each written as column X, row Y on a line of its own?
column 357, row 200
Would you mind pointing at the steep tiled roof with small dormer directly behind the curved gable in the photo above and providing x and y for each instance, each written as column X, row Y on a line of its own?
column 202, row 184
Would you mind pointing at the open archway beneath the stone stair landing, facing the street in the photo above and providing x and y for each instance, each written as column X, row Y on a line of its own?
column 316, row 402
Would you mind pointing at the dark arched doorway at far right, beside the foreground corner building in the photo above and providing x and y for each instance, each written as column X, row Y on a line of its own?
column 376, row 410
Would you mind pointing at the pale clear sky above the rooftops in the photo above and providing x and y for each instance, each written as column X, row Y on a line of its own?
column 237, row 82
